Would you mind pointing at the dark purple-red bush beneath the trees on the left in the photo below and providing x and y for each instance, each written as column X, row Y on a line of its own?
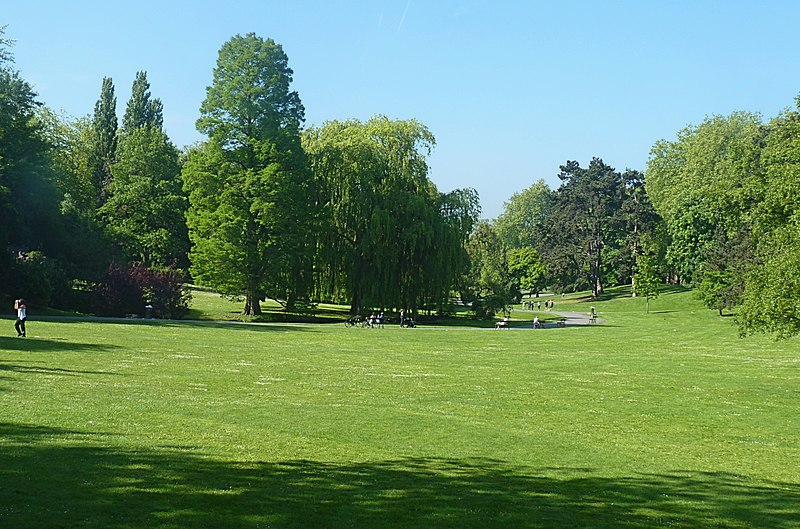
column 125, row 291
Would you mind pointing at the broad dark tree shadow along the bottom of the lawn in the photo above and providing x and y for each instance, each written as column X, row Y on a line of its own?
column 58, row 478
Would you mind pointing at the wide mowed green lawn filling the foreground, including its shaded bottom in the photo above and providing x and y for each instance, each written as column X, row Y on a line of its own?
column 665, row 419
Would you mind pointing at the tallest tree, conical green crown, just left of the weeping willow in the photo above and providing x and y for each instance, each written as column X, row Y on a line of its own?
column 251, row 214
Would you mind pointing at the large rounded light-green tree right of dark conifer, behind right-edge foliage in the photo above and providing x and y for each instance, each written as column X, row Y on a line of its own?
column 701, row 182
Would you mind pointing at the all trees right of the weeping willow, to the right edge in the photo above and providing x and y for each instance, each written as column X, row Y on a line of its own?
column 719, row 211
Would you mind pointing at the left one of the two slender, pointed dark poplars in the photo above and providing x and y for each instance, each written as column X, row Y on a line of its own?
column 104, row 140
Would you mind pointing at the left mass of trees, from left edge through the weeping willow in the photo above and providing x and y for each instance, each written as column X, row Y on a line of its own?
column 106, row 217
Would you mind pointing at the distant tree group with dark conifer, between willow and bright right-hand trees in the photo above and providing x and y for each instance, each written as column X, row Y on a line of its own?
column 588, row 234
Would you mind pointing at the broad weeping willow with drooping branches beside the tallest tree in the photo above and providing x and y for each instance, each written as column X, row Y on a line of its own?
column 391, row 239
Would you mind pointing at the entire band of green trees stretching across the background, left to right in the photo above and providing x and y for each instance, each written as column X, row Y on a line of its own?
column 269, row 208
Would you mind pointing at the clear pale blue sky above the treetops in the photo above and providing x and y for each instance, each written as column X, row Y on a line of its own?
column 510, row 89
